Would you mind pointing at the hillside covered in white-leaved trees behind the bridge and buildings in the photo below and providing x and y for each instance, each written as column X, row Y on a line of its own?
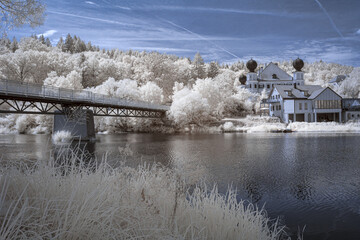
column 198, row 92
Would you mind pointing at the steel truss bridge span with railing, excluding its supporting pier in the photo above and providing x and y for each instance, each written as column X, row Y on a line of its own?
column 26, row 98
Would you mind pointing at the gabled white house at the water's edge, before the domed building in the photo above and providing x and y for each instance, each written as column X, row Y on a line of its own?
column 304, row 103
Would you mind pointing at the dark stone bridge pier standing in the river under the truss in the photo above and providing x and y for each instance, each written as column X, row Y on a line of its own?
column 79, row 122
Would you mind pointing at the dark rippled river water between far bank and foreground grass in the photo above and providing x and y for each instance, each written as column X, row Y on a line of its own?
column 310, row 180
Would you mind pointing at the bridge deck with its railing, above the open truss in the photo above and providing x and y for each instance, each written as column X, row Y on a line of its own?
column 12, row 90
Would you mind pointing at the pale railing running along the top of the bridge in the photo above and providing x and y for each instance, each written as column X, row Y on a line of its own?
column 36, row 90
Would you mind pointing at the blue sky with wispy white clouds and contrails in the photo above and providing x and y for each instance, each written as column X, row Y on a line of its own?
column 225, row 31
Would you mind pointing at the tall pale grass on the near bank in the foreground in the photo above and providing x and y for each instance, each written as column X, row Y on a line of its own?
column 77, row 200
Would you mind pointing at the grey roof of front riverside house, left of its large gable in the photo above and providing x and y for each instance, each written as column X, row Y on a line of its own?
column 298, row 92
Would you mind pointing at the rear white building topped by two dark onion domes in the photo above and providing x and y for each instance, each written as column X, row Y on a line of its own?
column 271, row 75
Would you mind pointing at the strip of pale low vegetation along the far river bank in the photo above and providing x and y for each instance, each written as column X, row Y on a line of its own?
column 38, row 124
